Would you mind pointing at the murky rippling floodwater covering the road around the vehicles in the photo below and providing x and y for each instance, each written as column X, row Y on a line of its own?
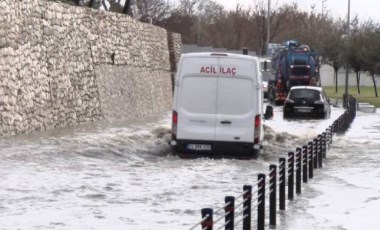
column 122, row 176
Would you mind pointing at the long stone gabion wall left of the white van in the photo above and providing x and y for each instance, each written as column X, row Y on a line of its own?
column 63, row 65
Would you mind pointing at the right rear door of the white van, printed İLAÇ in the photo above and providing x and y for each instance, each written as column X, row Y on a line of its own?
column 235, row 101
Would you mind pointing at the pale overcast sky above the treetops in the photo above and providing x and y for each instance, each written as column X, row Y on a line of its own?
column 365, row 9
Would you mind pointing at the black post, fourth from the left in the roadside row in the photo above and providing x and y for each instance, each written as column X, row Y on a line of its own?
column 261, row 202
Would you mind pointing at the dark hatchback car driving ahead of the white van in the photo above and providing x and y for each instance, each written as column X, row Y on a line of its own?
column 307, row 102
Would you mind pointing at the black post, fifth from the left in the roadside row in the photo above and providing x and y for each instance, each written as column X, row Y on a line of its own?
column 272, row 194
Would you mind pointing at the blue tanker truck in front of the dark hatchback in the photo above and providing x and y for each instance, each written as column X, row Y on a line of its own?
column 293, row 64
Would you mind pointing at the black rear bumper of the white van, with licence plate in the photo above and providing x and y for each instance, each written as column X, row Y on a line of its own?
column 214, row 149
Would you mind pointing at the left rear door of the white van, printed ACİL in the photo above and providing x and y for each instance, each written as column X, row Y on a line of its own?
column 196, row 106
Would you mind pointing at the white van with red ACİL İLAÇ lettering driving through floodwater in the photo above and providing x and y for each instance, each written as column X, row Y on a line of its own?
column 218, row 106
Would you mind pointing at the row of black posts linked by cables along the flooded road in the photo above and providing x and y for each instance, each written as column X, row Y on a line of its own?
column 297, row 168
